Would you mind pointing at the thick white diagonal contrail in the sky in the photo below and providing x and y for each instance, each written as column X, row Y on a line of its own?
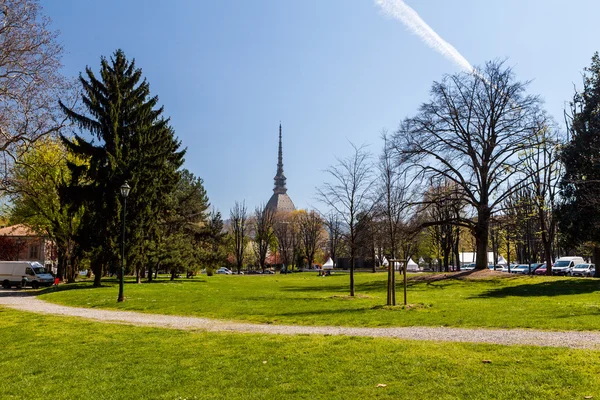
column 399, row 10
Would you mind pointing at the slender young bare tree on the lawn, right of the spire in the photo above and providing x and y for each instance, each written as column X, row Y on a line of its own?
column 349, row 195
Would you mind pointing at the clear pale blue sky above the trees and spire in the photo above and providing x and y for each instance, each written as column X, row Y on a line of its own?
column 332, row 71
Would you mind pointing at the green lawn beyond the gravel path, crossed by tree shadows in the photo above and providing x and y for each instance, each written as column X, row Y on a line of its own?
column 305, row 299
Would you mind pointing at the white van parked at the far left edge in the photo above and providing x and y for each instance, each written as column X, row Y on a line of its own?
column 23, row 273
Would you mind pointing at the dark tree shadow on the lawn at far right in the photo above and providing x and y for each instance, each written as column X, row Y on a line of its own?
column 546, row 288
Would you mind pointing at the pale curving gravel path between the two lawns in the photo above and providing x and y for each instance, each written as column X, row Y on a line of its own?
column 573, row 339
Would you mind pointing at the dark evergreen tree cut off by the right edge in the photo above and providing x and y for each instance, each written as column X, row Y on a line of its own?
column 580, row 213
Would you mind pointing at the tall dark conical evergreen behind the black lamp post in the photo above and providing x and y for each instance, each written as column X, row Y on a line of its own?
column 132, row 142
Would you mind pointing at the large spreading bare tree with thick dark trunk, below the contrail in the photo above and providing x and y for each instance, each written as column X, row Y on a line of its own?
column 471, row 133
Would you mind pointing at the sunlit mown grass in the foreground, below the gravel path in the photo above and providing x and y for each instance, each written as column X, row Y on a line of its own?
column 50, row 357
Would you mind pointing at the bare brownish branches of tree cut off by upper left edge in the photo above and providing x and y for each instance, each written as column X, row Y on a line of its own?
column 30, row 81
